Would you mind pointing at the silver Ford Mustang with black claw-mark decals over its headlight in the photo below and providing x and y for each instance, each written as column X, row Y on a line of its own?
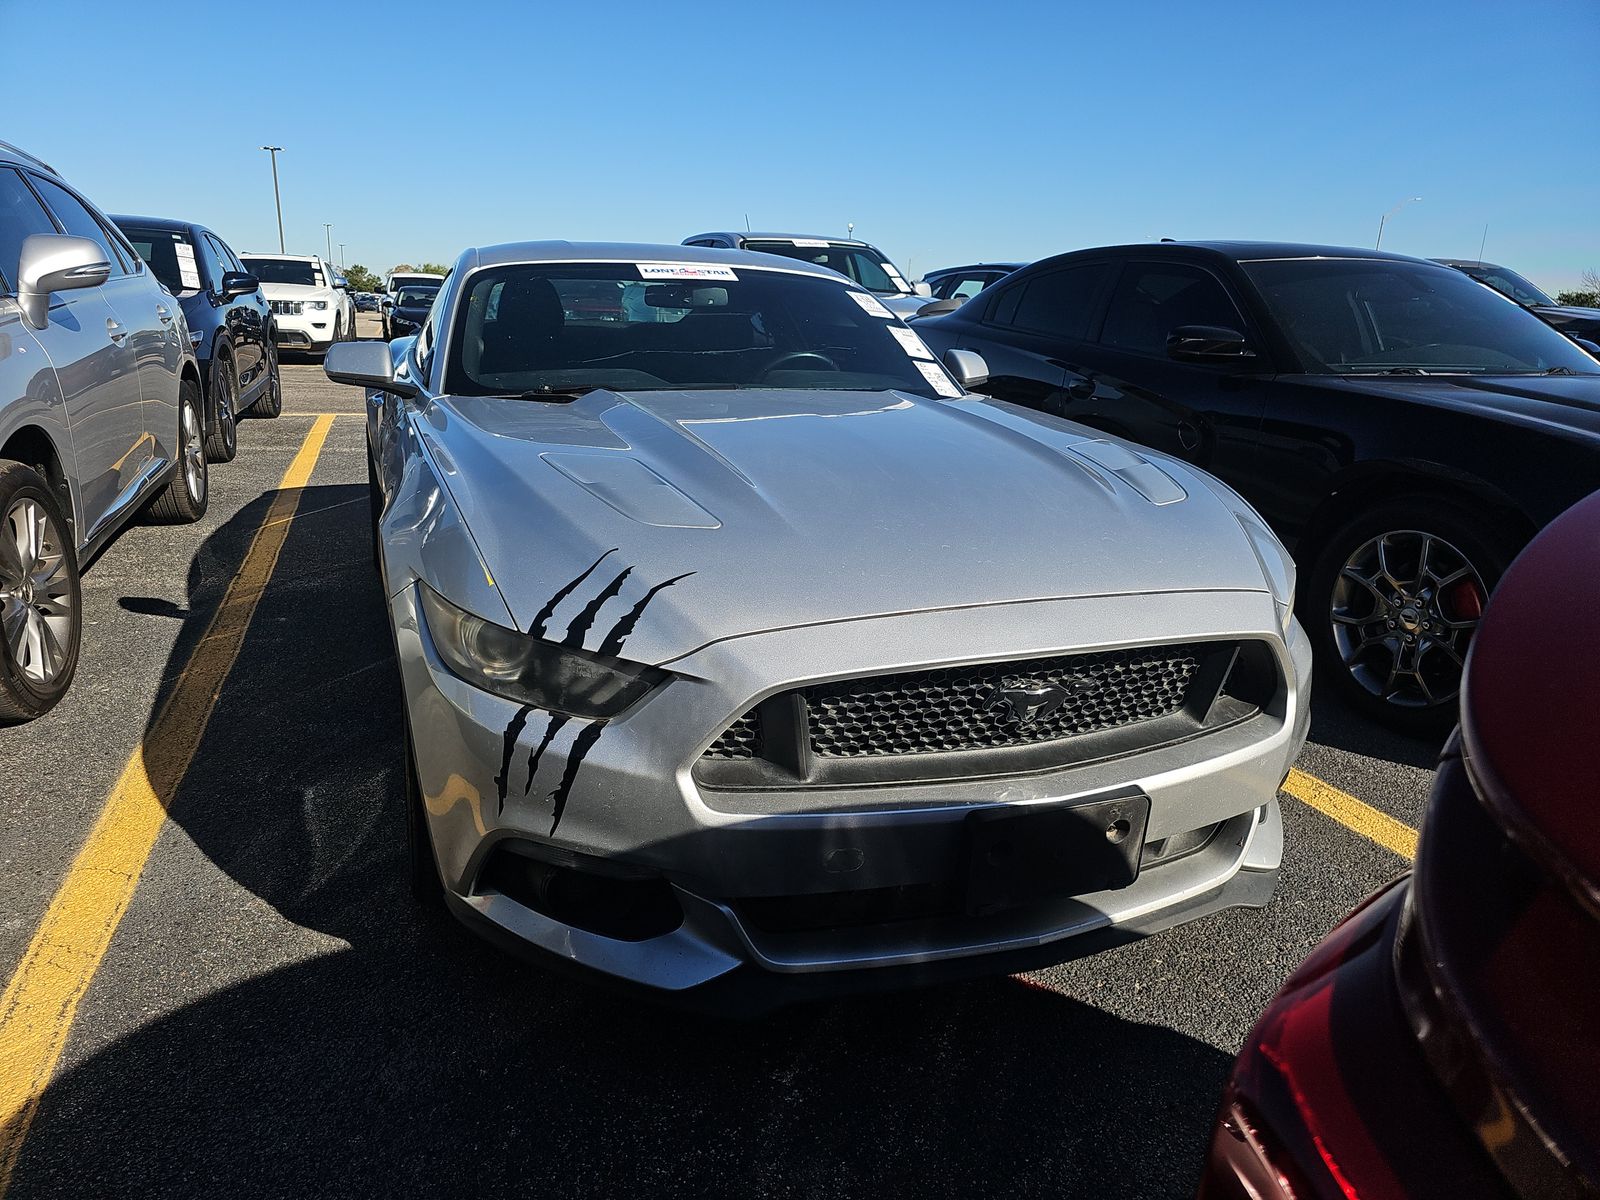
column 746, row 652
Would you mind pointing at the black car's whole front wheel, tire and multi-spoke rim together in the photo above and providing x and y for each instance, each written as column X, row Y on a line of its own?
column 1393, row 602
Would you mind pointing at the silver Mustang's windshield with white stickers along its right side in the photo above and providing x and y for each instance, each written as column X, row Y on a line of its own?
column 670, row 326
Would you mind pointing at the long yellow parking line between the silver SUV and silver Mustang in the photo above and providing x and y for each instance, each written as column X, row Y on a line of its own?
column 39, row 1004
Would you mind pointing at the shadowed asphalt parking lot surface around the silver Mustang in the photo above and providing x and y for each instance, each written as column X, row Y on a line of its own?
column 273, row 1015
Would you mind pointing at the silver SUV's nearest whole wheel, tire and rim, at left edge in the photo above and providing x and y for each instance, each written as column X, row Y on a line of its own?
column 36, row 556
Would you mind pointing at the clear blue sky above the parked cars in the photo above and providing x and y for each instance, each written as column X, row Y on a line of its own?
column 945, row 132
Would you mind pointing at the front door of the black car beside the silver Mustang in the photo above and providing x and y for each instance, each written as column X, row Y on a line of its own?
column 1127, row 383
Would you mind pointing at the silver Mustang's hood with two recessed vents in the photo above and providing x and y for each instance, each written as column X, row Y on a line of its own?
column 740, row 513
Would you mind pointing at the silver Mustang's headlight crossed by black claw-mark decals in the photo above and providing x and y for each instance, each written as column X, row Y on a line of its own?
column 530, row 671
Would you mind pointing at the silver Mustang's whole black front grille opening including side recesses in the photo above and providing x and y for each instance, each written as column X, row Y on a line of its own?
column 991, row 718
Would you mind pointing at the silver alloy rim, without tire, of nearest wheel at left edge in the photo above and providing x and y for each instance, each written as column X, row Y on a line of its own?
column 36, row 593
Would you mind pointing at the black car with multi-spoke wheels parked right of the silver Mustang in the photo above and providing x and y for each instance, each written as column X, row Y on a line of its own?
column 1402, row 428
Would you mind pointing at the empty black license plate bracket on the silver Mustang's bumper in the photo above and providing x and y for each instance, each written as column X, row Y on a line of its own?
column 1026, row 854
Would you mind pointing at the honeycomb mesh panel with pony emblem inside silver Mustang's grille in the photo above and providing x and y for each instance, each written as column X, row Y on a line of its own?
column 966, row 708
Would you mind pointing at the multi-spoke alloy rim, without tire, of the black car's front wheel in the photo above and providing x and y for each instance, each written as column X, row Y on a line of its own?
column 1404, row 610
